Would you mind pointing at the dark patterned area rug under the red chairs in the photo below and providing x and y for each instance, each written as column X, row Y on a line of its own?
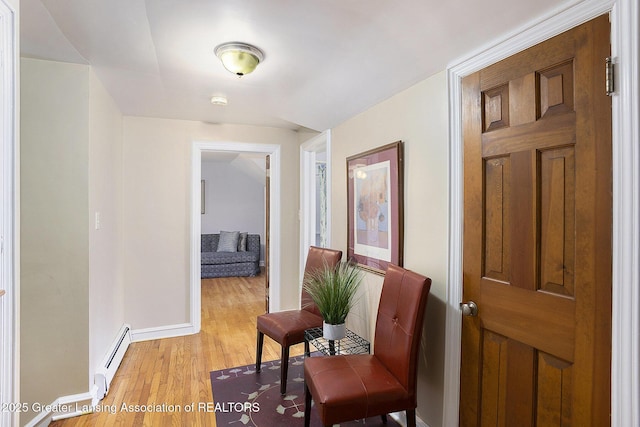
column 244, row 397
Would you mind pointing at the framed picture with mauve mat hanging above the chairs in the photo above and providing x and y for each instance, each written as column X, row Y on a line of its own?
column 375, row 207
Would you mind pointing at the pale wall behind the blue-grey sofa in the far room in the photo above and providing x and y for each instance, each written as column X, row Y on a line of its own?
column 234, row 196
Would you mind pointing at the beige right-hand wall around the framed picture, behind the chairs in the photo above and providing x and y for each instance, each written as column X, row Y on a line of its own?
column 417, row 116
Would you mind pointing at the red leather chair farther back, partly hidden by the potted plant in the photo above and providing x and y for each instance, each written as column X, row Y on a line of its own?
column 287, row 327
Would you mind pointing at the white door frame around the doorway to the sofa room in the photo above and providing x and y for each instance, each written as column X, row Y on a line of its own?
column 198, row 148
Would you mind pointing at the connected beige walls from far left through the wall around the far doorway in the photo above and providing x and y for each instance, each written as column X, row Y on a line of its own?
column 79, row 284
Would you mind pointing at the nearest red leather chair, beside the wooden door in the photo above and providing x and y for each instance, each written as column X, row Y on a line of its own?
column 356, row 386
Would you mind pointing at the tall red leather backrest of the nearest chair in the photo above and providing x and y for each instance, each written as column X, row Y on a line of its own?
column 399, row 323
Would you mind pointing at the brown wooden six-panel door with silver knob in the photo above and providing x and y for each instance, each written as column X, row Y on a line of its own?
column 537, row 236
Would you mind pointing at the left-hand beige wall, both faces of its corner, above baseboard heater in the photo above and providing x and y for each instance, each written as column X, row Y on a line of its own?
column 72, row 292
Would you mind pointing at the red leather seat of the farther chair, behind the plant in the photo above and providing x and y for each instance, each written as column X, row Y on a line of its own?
column 287, row 327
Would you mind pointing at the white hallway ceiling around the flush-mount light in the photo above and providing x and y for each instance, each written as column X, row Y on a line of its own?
column 325, row 60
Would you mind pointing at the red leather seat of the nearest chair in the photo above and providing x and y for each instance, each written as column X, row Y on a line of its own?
column 353, row 387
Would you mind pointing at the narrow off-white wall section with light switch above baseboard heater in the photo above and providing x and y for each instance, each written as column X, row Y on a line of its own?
column 106, row 289
